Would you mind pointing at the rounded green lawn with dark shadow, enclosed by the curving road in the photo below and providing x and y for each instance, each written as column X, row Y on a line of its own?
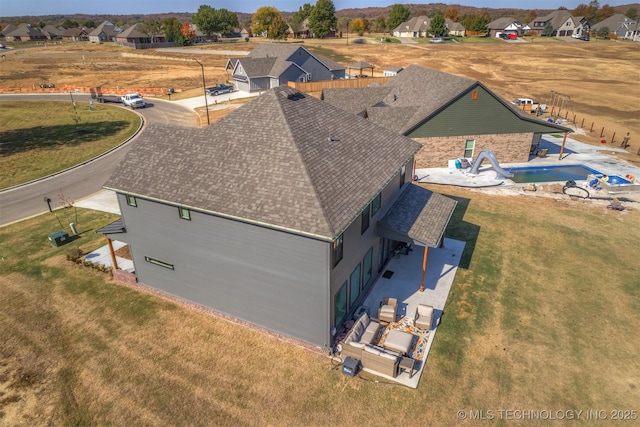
column 40, row 138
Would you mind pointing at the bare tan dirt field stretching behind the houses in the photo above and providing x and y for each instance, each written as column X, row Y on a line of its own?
column 598, row 79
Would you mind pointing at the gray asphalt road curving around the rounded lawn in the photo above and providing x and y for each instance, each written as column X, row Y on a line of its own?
column 28, row 200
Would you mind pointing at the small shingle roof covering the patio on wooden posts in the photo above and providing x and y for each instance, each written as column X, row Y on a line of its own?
column 420, row 214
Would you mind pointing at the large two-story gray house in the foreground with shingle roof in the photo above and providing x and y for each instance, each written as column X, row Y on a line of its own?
column 286, row 224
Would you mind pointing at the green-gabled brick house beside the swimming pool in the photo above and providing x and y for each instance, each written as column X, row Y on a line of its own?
column 451, row 116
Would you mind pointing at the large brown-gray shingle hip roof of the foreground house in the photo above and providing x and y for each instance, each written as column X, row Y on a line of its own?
column 294, row 163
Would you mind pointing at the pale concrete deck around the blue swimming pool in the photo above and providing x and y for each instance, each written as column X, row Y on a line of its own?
column 575, row 153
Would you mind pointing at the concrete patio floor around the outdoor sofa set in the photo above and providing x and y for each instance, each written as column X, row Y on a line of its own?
column 404, row 285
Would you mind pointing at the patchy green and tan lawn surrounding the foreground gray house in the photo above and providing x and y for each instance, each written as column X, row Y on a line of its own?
column 542, row 316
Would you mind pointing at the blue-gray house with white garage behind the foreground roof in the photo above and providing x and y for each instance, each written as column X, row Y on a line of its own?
column 270, row 65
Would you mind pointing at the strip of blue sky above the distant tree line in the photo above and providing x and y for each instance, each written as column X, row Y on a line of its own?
column 126, row 7
